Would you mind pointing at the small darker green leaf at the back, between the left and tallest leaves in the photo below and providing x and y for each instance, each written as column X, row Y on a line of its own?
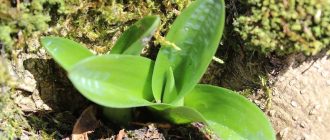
column 134, row 39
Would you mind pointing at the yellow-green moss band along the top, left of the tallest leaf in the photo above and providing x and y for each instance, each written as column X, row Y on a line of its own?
column 95, row 23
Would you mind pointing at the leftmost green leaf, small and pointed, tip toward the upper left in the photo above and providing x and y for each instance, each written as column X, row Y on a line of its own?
column 65, row 51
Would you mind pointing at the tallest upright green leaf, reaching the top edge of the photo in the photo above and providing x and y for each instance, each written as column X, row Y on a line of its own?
column 197, row 31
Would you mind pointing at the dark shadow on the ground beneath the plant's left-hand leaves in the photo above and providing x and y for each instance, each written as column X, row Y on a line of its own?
column 56, row 91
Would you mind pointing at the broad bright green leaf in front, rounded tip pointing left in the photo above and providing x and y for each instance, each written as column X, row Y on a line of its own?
column 118, row 81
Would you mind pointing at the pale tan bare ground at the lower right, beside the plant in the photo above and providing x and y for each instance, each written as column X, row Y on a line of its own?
column 300, row 102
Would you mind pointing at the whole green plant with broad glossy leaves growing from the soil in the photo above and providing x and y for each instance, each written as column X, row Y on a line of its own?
column 169, row 86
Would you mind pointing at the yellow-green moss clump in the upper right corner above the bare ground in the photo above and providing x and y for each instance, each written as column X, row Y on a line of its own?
column 286, row 27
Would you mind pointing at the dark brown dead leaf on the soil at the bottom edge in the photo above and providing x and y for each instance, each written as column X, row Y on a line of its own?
column 85, row 124
